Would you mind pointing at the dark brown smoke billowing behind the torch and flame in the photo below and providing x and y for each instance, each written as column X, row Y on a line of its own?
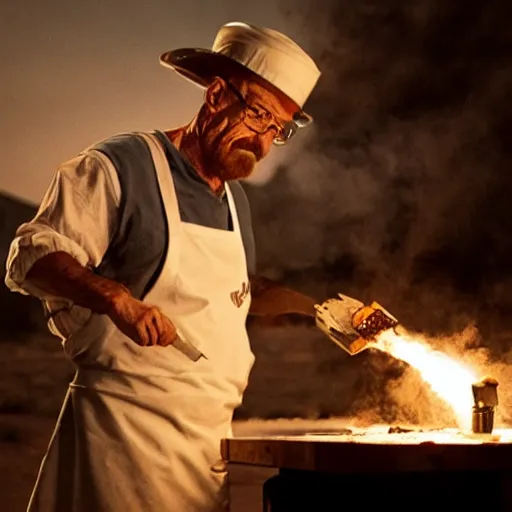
column 401, row 192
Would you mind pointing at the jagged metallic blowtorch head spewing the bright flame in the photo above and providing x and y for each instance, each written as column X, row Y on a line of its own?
column 352, row 325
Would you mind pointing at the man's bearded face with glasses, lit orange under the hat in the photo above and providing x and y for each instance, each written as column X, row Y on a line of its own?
column 243, row 122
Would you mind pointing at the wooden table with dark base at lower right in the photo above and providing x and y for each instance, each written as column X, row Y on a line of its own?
column 330, row 472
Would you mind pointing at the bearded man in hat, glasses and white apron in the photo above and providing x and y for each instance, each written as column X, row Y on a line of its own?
column 141, row 252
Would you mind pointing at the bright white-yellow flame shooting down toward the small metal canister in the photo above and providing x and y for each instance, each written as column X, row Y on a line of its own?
column 451, row 380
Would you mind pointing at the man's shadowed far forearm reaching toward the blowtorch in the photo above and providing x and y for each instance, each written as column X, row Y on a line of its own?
column 270, row 299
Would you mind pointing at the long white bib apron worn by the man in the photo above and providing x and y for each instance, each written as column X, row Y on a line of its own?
column 141, row 427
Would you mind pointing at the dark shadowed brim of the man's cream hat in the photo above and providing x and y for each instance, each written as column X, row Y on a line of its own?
column 202, row 66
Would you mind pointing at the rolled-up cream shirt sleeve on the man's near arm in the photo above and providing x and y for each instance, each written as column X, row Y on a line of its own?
column 78, row 215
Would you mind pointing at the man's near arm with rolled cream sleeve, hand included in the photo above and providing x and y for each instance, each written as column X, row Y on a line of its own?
column 51, row 255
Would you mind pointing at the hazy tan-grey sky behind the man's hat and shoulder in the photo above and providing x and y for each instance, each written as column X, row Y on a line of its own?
column 76, row 72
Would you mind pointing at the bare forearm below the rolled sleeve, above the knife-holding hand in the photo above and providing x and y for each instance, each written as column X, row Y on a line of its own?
column 59, row 274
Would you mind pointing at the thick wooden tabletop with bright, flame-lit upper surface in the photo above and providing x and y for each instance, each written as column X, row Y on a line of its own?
column 337, row 454
